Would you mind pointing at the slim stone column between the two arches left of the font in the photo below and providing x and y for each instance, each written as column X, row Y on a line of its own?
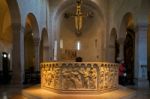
column 37, row 54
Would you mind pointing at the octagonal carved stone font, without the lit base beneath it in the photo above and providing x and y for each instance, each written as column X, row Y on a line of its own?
column 79, row 77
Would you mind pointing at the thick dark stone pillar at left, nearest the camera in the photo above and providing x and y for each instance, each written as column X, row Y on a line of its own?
column 18, row 56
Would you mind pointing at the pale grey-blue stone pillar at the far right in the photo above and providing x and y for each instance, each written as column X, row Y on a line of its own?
column 141, row 57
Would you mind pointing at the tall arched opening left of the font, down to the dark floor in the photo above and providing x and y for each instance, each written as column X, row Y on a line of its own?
column 31, row 50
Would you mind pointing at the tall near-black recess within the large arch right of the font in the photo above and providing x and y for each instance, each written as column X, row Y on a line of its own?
column 129, row 53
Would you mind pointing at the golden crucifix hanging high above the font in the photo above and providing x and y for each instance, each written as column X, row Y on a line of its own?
column 78, row 17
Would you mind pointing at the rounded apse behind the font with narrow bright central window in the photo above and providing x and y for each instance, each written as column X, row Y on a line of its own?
column 88, row 40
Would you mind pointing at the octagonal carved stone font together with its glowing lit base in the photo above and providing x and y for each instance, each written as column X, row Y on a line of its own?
column 65, row 80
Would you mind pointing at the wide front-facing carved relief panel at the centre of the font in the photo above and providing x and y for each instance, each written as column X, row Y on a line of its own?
column 79, row 77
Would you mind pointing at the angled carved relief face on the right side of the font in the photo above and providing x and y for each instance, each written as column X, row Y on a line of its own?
column 108, row 77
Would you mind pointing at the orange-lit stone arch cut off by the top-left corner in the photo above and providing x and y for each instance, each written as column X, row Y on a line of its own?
column 10, row 17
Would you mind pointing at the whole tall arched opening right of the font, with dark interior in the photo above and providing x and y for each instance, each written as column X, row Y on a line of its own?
column 128, row 45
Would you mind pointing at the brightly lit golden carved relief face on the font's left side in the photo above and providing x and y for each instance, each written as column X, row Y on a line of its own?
column 50, row 75
